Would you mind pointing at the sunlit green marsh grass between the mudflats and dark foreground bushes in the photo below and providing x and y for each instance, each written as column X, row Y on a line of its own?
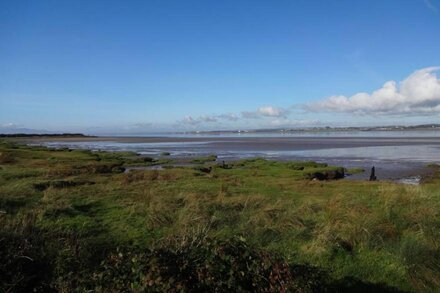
column 375, row 232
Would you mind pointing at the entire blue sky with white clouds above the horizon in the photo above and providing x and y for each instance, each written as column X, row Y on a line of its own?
column 149, row 66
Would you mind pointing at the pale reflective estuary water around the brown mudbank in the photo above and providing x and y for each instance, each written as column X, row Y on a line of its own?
column 397, row 162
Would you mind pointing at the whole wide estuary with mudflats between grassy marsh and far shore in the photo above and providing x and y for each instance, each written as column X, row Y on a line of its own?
column 400, row 155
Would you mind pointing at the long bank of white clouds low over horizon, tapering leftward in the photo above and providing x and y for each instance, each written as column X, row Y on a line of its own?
column 417, row 95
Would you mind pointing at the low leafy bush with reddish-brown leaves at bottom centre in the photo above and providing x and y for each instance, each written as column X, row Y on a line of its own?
column 211, row 266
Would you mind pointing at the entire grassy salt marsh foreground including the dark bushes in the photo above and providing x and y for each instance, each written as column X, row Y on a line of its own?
column 74, row 221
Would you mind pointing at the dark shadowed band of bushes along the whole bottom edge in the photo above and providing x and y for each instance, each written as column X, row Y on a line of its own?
column 35, row 260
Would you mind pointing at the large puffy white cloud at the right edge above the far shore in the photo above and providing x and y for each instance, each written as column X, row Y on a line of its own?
column 418, row 94
